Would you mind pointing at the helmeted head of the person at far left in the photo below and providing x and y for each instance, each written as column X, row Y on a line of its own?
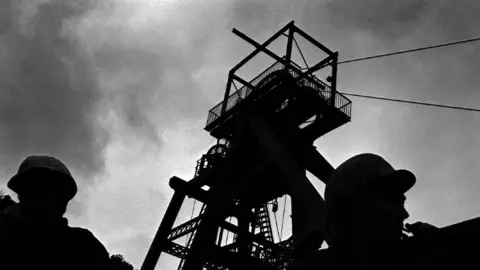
column 44, row 186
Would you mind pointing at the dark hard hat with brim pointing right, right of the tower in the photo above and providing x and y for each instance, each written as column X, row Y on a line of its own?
column 362, row 173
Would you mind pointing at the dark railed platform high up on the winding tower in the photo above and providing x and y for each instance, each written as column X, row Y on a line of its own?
column 279, row 92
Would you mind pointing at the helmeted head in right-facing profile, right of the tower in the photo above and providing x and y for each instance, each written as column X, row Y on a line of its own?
column 365, row 201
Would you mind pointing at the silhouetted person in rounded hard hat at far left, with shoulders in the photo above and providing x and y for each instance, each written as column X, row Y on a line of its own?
column 35, row 235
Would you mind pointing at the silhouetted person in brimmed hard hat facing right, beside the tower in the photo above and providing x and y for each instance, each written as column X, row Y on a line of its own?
column 365, row 216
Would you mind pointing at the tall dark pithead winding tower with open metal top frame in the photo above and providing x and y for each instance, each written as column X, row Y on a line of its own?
column 265, row 131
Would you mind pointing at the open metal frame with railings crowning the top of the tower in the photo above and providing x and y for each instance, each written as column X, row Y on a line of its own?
column 232, row 102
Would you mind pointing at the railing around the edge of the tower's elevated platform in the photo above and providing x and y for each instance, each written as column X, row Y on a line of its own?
column 341, row 102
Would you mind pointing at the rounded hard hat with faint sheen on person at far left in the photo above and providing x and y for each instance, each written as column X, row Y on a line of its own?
column 59, row 176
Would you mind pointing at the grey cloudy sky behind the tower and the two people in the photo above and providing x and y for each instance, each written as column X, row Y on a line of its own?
column 120, row 89
